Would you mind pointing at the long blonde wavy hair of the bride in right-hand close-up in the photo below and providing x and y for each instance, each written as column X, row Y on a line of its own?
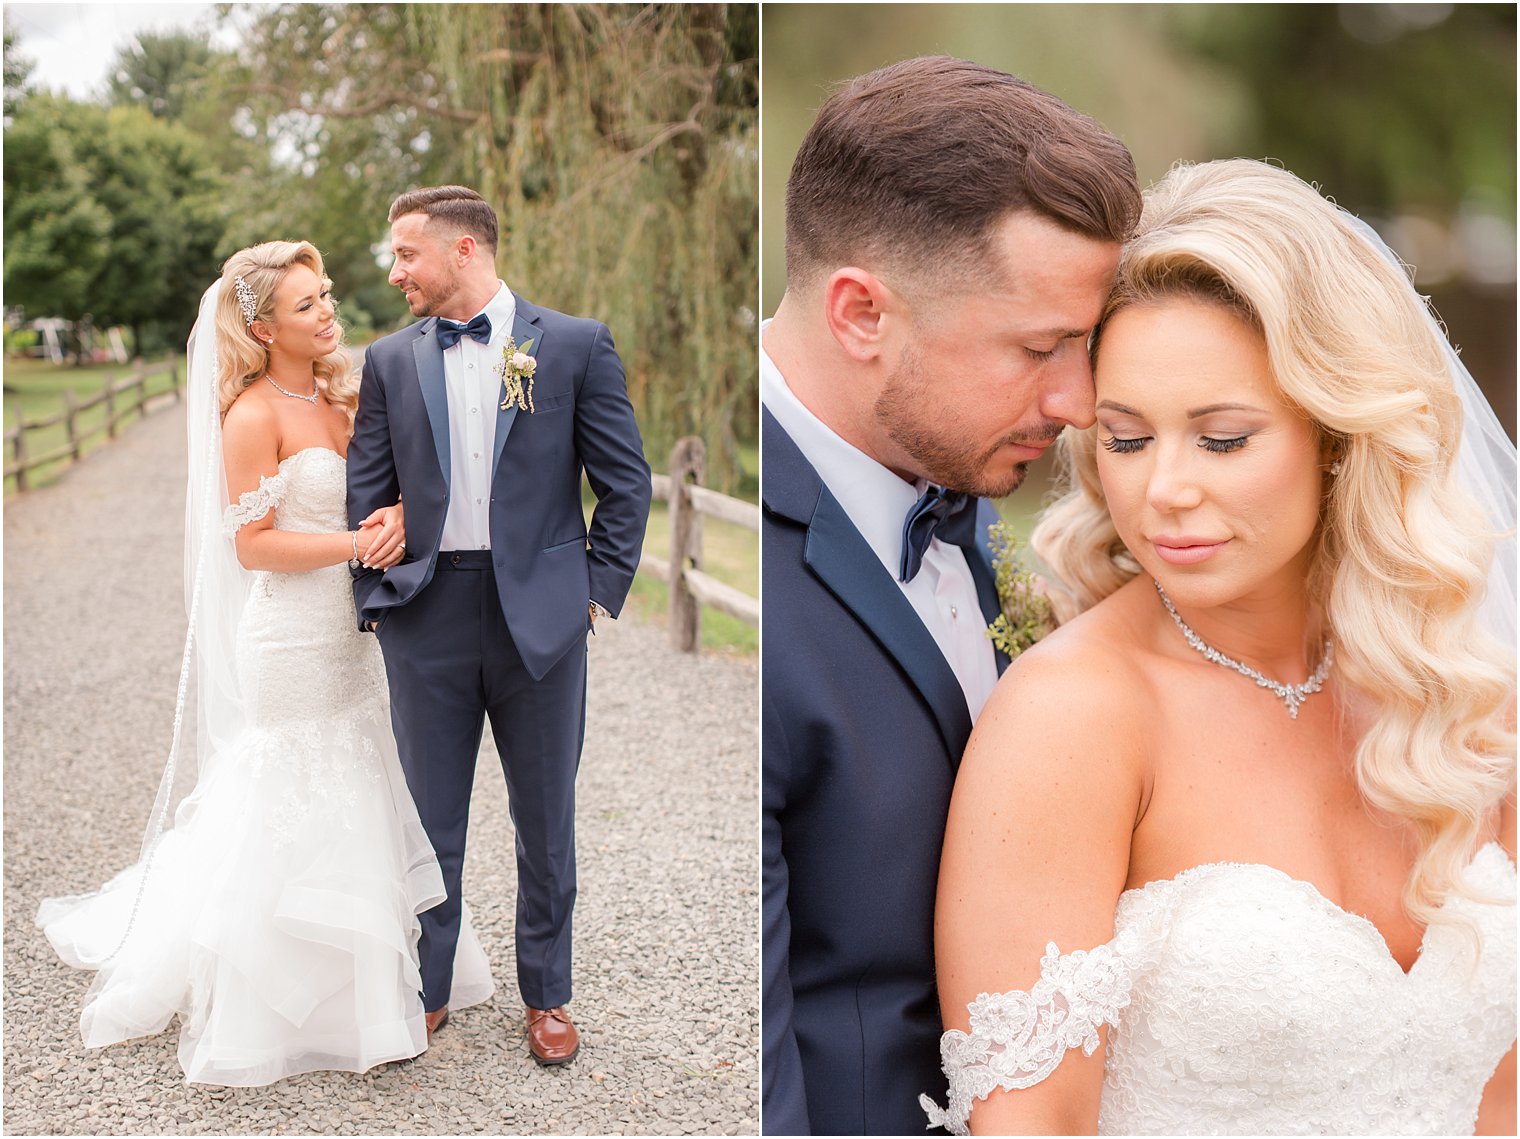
column 1402, row 553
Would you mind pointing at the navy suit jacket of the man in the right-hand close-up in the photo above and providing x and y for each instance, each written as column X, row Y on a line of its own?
column 864, row 725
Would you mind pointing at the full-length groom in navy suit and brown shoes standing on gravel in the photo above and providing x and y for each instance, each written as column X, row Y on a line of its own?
column 481, row 419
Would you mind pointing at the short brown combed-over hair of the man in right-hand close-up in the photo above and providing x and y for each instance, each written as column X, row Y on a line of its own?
column 913, row 167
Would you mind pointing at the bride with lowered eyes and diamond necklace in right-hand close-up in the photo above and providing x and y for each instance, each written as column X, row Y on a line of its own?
column 1232, row 852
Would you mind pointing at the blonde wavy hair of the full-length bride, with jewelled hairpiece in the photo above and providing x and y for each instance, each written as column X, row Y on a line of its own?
column 241, row 358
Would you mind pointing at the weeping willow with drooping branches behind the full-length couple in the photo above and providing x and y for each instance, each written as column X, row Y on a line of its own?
column 618, row 142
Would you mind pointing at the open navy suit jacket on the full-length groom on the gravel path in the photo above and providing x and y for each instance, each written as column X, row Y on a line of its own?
column 548, row 563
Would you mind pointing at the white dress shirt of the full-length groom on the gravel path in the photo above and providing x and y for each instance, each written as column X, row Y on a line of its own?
column 475, row 392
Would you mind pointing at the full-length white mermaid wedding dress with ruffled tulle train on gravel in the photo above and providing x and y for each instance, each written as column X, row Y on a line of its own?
column 279, row 918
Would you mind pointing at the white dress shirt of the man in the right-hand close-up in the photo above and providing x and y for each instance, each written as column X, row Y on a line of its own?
column 943, row 594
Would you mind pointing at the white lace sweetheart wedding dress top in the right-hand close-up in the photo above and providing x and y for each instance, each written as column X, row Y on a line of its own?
column 1243, row 1001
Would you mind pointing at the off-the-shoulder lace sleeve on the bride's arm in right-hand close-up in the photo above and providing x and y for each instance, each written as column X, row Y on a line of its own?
column 1018, row 1039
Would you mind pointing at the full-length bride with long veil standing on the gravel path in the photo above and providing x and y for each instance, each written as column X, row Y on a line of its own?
column 277, row 916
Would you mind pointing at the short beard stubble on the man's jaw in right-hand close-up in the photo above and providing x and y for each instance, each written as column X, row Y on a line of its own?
column 911, row 411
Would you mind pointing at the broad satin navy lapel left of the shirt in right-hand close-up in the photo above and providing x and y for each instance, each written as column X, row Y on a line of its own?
column 847, row 566
